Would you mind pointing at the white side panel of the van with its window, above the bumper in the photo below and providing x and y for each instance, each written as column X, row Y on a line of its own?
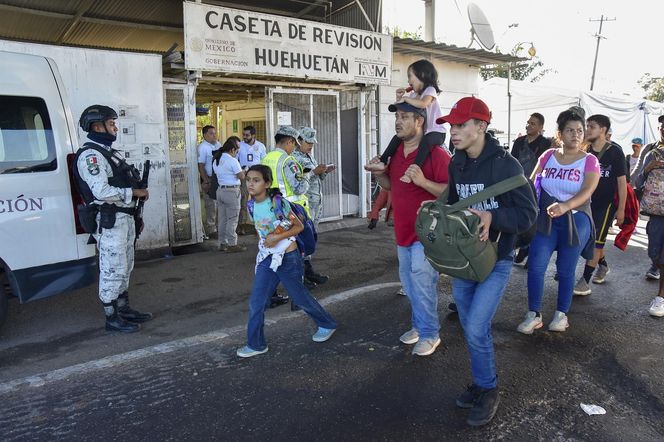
column 37, row 225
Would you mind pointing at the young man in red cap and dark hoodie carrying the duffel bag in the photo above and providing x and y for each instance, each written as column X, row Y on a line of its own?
column 479, row 162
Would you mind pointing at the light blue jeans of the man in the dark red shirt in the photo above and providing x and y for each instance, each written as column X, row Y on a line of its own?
column 419, row 281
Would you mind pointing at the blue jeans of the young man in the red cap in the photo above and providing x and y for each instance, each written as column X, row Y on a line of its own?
column 477, row 303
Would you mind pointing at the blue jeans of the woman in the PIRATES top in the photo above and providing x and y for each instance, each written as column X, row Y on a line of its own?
column 541, row 249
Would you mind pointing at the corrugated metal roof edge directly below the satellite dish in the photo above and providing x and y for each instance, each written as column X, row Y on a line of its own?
column 473, row 57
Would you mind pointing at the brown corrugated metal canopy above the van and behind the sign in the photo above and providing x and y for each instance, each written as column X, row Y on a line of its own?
column 137, row 25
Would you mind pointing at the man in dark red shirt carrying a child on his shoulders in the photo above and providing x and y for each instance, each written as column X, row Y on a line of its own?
column 418, row 277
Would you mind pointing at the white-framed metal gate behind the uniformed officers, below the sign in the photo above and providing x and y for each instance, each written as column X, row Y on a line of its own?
column 320, row 110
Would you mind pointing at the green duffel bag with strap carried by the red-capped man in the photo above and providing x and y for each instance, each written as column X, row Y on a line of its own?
column 450, row 233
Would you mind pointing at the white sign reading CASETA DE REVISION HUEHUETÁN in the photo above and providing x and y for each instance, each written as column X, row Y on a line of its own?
column 233, row 40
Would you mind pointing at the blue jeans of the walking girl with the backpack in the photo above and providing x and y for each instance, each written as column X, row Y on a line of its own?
column 290, row 274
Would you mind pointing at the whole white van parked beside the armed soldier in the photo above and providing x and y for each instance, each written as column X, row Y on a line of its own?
column 43, row 249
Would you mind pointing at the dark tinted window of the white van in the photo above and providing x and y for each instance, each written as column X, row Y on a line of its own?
column 26, row 136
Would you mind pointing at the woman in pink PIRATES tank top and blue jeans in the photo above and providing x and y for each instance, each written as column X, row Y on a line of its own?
column 565, row 179
